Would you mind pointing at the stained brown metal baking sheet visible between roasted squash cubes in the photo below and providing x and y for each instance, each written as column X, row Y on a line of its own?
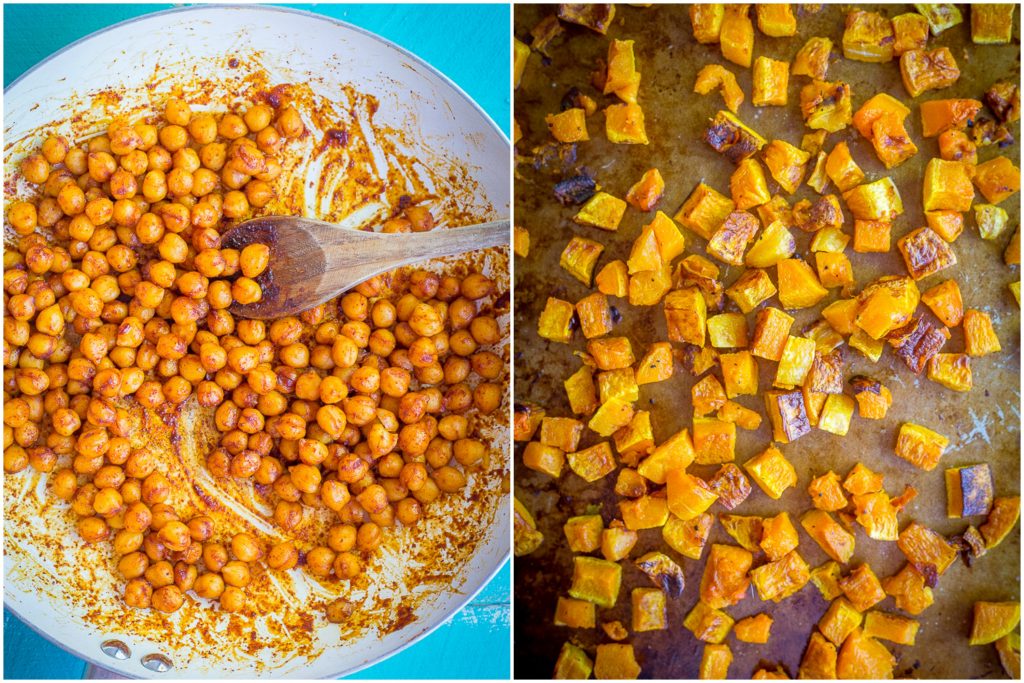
column 983, row 425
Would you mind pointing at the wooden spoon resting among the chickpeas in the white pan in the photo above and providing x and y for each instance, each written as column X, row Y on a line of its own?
column 313, row 262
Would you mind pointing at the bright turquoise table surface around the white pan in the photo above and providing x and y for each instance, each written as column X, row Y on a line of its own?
column 475, row 645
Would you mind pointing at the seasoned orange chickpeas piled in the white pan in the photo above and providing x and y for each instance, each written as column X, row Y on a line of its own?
column 117, row 294
